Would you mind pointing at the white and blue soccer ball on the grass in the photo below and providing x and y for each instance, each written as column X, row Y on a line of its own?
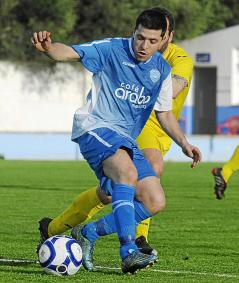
column 60, row 255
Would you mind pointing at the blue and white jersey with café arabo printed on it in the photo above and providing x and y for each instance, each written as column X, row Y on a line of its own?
column 124, row 91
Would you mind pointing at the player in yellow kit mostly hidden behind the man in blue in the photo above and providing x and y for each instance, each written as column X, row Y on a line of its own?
column 152, row 140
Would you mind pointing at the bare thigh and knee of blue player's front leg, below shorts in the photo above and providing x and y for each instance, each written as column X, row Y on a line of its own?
column 120, row 168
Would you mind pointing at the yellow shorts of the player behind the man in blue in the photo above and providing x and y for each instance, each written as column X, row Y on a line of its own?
column 154, row 138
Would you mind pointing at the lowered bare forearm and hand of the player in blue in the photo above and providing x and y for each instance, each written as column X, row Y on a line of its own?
column 171, row 127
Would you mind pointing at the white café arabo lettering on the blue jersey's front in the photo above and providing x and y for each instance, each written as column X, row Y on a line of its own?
column 132, row 93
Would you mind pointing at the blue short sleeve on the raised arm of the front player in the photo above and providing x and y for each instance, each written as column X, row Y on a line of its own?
column 94, row 55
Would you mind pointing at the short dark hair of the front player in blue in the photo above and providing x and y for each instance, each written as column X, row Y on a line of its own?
column 153, row 18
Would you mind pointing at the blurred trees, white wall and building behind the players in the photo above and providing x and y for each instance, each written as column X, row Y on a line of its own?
column 38, row 97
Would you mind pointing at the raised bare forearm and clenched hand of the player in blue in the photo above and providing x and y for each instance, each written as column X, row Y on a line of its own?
column 56, row 51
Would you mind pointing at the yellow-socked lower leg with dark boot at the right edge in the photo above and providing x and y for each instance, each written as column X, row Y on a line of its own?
column 222, row 175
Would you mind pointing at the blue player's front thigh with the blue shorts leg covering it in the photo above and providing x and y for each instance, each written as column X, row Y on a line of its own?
column 108, row 154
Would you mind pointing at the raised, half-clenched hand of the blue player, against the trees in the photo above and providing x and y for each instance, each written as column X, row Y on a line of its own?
column 41, row 40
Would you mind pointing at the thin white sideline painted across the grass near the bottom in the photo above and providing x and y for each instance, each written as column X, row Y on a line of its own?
column 225, row 275
